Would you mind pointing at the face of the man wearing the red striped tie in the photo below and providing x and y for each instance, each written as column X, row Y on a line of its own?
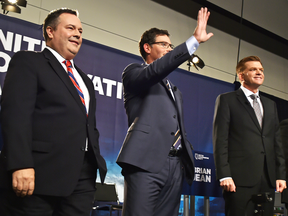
column 67, row 38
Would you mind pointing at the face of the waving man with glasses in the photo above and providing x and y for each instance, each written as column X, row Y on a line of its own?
column 156, row 50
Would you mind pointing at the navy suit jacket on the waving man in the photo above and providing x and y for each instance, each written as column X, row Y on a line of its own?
column 153, row 115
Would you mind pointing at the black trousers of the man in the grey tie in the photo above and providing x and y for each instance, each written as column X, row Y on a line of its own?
column 239, row 203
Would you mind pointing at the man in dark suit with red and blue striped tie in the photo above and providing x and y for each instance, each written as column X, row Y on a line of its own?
column 50, row 156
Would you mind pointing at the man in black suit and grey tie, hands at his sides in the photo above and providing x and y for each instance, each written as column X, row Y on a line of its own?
column 247, row 143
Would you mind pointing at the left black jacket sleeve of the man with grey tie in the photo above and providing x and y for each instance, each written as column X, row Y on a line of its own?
column 220, row 137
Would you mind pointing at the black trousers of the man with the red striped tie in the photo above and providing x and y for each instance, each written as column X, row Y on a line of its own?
column 79, row 203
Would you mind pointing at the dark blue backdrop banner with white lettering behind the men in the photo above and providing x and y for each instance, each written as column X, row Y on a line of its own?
column 104, row 66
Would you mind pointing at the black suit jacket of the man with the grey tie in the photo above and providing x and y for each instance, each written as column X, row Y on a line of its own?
column 240, row 145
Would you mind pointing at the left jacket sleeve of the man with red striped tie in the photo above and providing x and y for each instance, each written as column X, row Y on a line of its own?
column 17, row 107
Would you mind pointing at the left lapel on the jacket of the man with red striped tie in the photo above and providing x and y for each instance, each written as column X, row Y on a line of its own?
column 62, row 74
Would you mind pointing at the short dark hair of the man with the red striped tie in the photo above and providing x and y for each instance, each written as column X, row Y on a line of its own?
column 52, row 19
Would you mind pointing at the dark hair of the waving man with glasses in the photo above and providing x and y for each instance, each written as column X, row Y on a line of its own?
column 149, row 37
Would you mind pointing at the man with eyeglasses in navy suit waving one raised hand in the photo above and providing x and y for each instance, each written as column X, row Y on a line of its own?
column 155, row 153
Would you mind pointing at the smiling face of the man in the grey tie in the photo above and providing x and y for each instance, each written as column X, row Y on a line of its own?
column 253, row 76
